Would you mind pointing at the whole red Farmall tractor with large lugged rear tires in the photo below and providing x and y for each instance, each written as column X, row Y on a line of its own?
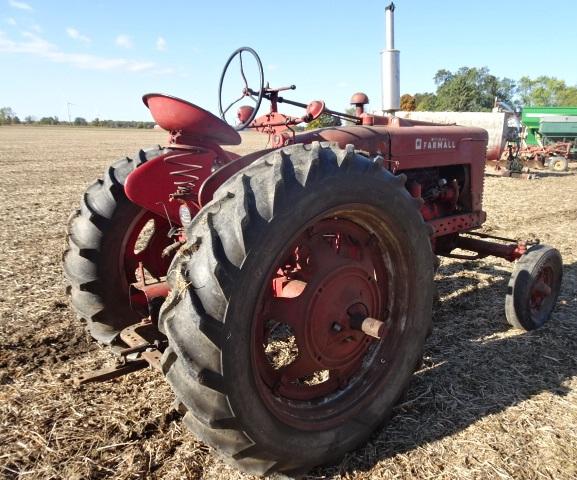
column 287, row 294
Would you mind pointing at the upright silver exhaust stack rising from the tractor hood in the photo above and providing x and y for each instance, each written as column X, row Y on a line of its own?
column 390, row 66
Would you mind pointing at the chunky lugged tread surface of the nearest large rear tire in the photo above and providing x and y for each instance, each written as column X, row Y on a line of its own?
column 203, row 273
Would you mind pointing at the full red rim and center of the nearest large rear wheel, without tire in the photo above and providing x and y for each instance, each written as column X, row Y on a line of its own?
column 310, row 361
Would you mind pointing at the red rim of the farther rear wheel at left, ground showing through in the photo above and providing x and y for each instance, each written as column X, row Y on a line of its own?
column 142, row 248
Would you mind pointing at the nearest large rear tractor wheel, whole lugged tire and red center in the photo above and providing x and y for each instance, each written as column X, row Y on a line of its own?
column 265, row 353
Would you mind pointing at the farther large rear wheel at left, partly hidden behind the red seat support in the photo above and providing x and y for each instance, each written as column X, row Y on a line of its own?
column 101, row 256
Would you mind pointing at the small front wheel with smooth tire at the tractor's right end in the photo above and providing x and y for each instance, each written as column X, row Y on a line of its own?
column 534, row 287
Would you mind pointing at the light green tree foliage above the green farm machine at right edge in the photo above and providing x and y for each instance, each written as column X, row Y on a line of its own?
column 546, row 91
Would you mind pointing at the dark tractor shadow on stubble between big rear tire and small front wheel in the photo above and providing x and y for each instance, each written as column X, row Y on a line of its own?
column 474, row 365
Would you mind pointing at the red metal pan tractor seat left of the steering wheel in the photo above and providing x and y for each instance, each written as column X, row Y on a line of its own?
column 177, row 115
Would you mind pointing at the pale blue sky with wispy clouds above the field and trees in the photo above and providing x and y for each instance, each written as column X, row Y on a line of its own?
column 101, row 56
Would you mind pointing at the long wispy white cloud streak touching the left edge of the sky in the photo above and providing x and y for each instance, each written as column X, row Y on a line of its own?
column 39, row 47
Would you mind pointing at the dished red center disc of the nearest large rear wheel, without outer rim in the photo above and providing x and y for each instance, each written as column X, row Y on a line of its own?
column 333, row 271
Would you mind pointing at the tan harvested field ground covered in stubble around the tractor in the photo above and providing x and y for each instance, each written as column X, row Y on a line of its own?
column 490, row 402
